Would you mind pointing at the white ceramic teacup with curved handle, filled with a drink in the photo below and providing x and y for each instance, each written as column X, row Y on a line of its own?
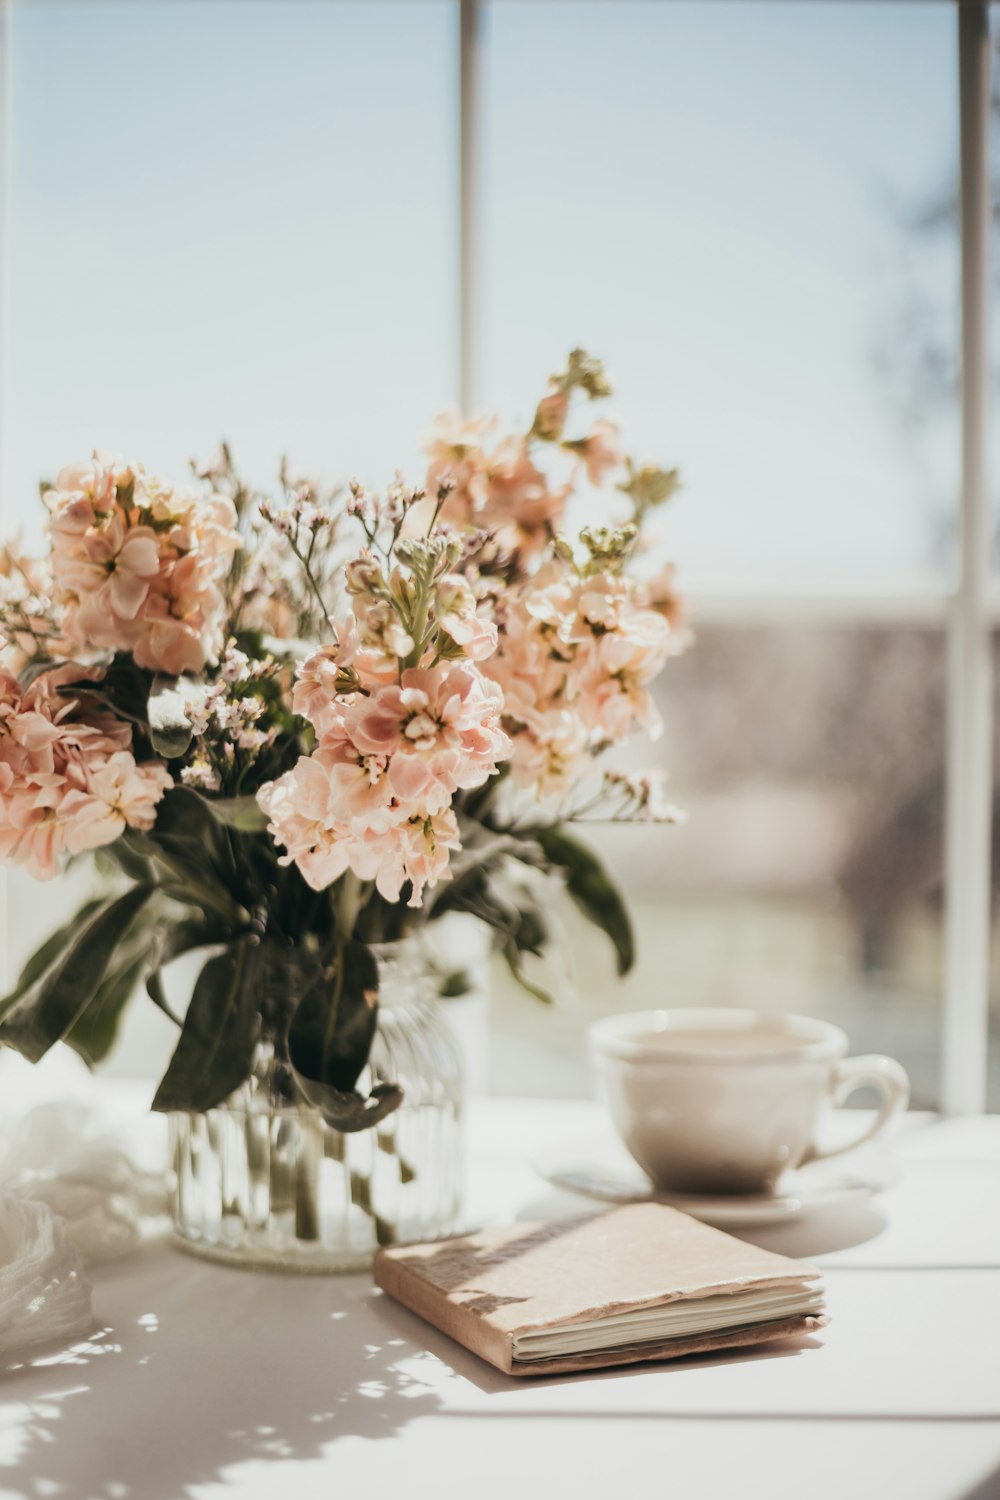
column 725, row 1102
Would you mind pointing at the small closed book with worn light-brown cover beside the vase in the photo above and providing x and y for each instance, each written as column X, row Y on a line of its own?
column 635, row 1283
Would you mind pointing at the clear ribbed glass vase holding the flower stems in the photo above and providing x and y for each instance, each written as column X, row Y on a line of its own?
column 263, row 1183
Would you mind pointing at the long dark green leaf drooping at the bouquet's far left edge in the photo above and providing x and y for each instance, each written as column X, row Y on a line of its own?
column 50, row 1007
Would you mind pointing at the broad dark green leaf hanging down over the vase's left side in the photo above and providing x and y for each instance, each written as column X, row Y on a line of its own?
column 215, row 1052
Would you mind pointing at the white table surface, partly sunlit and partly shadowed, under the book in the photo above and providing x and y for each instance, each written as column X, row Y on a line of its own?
column 205, row 1381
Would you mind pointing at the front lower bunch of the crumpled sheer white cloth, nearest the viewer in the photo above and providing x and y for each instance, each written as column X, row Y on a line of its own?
column 44, row 1292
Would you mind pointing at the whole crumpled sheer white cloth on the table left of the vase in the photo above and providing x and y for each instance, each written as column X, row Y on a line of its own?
column 71, row 1195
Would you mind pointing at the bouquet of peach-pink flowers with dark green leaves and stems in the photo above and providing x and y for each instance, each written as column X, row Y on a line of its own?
column 293, row 728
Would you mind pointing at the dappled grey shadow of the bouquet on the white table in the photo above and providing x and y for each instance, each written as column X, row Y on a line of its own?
column 206, row 1369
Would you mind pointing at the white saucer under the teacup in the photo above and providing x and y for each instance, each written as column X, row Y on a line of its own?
column 602, row 1169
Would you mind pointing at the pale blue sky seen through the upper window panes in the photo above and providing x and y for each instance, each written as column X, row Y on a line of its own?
column 241, row 220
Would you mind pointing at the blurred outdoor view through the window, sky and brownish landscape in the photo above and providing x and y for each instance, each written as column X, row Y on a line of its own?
column 241, row 218
